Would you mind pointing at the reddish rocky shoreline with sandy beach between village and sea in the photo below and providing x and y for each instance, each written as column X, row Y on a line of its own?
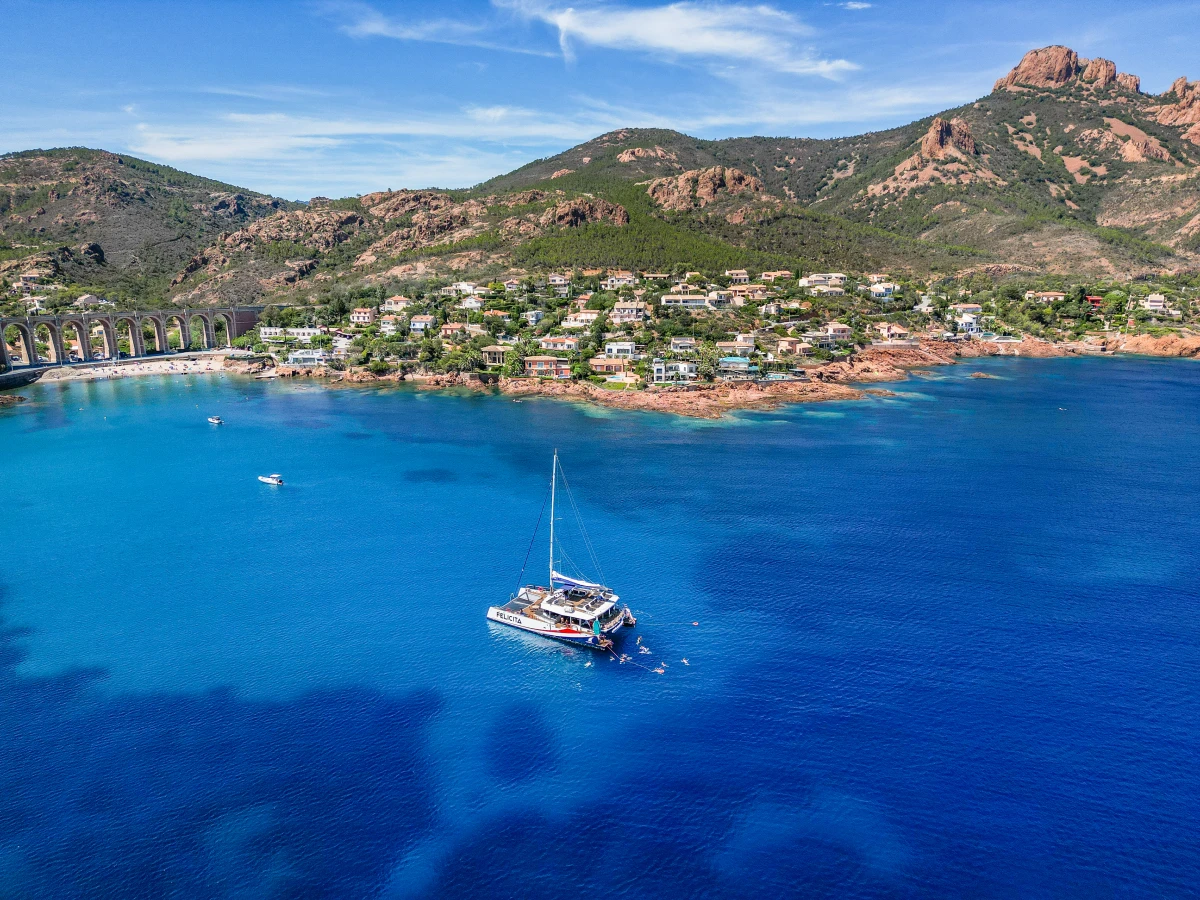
column 827, row 382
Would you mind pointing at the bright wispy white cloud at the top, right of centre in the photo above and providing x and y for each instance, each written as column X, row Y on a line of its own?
column 760, row 37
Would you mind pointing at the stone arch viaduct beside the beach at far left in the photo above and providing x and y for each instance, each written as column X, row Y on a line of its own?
column 237, row 320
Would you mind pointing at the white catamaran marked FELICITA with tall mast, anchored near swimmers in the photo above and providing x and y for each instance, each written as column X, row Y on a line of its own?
column 571, row 610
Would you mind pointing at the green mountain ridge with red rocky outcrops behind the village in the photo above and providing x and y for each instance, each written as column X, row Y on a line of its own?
column 1066, row 167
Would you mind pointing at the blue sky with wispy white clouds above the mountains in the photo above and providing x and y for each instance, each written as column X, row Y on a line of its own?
column 334, row 98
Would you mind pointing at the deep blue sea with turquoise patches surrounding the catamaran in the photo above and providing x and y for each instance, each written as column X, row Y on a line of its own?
column 947, row 644
